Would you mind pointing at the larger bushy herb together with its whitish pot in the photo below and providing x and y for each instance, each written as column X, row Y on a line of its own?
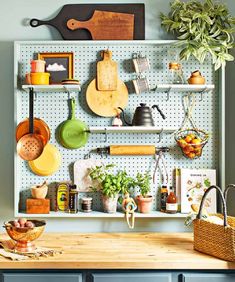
column 111, row 185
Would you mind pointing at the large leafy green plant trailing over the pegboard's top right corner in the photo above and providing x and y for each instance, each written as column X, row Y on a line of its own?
column 203, row 28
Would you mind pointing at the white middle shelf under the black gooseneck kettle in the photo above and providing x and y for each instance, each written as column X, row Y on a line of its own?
column 130, row 129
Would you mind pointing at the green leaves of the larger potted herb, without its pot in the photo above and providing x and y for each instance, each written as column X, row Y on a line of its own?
column 111, row 184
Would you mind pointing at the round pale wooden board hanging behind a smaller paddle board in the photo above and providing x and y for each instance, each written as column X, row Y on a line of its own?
column 106, row 103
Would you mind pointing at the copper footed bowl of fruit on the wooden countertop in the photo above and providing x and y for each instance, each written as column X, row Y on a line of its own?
column 24, row 232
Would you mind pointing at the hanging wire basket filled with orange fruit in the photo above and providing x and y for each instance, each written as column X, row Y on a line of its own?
column 191, row 141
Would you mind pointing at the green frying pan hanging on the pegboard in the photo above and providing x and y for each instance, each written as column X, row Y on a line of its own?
column 73, row 133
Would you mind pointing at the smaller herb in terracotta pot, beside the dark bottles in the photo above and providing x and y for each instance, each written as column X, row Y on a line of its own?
column 144, row 200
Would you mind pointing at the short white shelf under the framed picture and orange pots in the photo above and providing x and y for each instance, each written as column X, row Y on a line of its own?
column 53, row 88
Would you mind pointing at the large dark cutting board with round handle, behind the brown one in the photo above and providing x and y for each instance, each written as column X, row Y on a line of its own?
column 84, row 12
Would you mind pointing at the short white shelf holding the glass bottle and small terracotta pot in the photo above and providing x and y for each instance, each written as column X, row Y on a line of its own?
column 184, row 87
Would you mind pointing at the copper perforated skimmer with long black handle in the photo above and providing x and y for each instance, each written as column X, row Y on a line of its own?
column 30, row 146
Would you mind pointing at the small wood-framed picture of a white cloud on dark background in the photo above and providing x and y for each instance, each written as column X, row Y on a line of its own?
column 59, row 65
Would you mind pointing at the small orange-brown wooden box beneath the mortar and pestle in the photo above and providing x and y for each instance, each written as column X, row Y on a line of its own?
column 38, row 206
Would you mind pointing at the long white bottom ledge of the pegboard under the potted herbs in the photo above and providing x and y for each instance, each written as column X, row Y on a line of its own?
column 96, row 214
